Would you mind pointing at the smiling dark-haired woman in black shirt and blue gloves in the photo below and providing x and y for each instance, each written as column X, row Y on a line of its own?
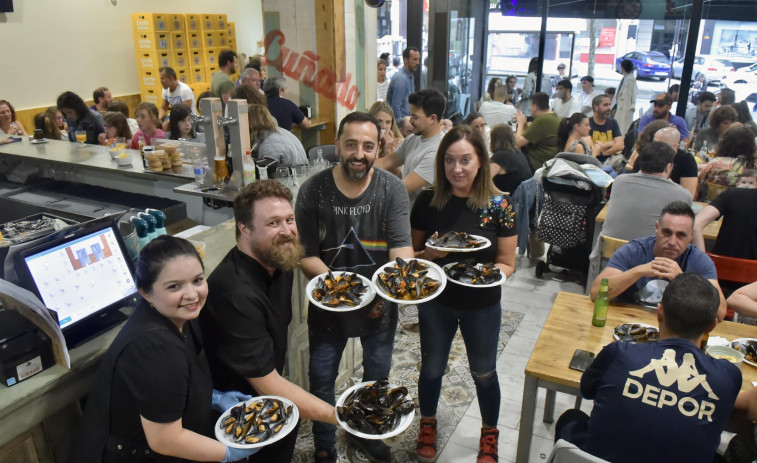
column 153, row 396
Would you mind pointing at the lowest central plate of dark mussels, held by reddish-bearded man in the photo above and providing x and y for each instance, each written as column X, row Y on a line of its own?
column 399, row 409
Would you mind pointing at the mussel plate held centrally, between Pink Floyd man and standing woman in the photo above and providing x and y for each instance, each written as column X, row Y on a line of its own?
column 402, row 273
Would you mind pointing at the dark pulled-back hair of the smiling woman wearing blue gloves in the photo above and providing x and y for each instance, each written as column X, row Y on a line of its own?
column 153, row 257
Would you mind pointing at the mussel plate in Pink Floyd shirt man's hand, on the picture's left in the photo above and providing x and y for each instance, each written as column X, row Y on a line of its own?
column 340, row 291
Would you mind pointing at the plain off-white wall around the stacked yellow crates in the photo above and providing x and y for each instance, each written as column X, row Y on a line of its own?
column 50, row 46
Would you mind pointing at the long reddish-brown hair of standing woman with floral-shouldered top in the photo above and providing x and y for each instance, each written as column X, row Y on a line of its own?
column 483, row 186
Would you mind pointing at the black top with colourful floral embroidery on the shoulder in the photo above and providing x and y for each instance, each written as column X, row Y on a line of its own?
column 495, row 221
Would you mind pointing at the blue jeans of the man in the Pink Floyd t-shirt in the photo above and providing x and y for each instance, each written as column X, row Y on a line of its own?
column 325, row 355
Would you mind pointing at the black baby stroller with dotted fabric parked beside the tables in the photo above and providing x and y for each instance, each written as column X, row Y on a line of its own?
column 567, row 220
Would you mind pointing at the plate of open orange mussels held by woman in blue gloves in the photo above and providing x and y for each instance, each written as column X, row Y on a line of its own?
column 257, row 422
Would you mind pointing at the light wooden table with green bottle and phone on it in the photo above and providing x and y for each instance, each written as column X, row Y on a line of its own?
column 568, row 328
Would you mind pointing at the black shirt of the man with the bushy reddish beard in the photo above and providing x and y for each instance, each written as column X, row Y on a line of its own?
column 245, row 321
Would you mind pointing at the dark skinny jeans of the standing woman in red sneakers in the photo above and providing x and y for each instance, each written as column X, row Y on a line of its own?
column 480, row 330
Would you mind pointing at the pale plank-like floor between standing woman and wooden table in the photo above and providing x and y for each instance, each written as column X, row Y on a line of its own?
column 533, row 297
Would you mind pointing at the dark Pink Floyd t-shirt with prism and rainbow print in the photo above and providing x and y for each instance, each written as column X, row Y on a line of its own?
column 354, row 235
